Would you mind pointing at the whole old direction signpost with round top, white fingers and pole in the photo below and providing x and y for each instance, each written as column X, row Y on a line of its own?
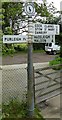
column 37, row 33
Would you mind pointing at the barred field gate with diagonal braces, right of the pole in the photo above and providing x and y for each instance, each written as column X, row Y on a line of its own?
column 48, row 84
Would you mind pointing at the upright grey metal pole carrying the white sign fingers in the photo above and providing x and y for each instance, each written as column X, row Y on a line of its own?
column 30, row 88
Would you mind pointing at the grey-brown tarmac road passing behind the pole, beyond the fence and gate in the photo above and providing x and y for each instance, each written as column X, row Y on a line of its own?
column 21, row 58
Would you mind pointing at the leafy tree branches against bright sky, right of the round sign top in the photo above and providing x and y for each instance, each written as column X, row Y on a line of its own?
column 46, row 10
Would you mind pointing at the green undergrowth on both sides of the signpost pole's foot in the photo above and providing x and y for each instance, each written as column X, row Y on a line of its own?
column 17, row 109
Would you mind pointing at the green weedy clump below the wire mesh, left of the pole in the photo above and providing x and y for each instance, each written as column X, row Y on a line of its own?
column 15, row 109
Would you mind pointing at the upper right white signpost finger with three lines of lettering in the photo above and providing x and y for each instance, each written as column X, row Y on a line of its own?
column 45, row 29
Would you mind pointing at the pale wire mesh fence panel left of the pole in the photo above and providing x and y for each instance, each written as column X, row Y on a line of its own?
column 14, row 82
